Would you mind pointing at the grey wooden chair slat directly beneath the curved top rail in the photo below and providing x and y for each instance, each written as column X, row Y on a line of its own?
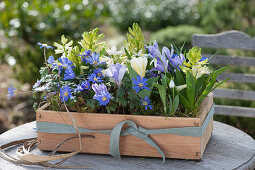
column 229, row 60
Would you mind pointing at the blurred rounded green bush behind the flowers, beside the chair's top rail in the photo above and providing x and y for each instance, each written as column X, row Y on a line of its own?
column 177, row 35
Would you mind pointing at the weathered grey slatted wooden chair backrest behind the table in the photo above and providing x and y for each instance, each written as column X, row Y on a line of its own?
column 231, row 40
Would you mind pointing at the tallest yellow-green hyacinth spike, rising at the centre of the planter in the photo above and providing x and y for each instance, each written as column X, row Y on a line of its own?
column 135, row 40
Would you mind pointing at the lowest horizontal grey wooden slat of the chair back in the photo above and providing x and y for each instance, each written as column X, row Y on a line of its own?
column 234, row 111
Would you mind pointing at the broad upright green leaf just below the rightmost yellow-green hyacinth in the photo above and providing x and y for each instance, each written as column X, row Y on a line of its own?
column 190, row 88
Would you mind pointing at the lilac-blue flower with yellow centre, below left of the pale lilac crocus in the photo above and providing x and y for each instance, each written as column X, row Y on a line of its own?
column 101, row 94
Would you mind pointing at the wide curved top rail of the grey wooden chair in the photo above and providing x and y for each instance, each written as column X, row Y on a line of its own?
column 227, row 40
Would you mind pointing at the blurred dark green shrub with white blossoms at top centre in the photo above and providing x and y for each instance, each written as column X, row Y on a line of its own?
column 153, row 15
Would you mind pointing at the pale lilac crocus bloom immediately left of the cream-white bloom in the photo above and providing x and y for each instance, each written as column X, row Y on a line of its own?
column 117, row 72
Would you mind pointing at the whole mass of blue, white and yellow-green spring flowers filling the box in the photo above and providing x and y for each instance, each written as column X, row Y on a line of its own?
column 138, row 79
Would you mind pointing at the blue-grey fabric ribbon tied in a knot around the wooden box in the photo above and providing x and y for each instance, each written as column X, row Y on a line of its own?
column 132, row 129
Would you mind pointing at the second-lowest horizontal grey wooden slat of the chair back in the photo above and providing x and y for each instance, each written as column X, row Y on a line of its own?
column 234, row 94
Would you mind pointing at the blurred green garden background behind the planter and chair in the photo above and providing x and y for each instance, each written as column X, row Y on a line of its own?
column 23, row 23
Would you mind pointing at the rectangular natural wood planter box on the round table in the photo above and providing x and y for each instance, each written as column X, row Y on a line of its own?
column 173, row 146
